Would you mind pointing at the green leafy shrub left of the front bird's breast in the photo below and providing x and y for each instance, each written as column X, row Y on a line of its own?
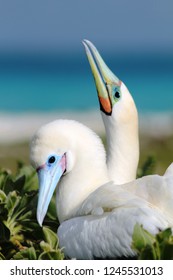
column 20, row 235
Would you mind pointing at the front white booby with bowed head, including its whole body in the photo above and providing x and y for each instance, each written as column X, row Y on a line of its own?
column 96, row 218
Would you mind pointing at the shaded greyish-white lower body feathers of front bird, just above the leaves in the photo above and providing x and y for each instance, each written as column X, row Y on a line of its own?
column 108, row 235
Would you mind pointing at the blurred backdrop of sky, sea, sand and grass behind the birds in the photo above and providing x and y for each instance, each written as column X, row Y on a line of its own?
column 44, row 72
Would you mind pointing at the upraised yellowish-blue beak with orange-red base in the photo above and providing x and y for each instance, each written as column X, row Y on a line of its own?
column 103, row 76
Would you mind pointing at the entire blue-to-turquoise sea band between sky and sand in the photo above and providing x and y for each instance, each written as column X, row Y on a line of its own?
column 53, row 82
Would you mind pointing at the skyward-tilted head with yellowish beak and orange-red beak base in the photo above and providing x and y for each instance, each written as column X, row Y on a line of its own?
column 114, row 97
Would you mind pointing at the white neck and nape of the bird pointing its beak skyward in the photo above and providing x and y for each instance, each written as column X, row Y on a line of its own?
column 122, row 139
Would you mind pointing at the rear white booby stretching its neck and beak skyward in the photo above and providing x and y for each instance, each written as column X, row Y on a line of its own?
column 120, row 119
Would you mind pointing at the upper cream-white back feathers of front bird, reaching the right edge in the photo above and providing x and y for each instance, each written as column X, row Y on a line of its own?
column 152, row 191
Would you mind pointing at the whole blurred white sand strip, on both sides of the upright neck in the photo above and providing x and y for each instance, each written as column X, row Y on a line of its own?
column 20, row 127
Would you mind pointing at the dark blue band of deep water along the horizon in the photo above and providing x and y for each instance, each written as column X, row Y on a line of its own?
column 65, row 62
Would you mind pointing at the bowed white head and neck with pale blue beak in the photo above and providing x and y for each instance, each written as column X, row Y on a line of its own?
column 70, row 155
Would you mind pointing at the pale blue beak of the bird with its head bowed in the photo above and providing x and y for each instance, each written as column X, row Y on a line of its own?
column 48, row 176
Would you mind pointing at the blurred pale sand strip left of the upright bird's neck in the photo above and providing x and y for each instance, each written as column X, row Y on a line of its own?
column 19, row 127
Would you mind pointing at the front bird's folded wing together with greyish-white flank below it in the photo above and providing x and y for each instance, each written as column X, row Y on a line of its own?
column 104, row 223
